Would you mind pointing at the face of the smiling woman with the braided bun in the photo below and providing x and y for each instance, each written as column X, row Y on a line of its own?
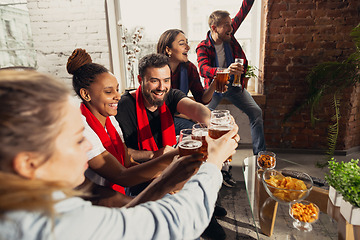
column 103, row 96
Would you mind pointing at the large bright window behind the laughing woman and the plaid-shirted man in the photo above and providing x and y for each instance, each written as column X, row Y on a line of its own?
column 156, row 16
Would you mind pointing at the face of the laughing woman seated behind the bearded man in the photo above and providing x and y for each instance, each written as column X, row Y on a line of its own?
column 179, row 49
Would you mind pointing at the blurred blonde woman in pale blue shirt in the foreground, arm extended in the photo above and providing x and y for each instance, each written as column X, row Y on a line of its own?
column 43, row 157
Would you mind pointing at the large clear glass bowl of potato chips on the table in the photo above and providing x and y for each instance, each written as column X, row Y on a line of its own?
column 286, row 186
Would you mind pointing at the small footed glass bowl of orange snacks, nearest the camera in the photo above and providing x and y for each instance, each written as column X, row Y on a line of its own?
column 304, row 214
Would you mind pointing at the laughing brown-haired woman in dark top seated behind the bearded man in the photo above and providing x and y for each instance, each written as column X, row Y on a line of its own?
column 185, row 77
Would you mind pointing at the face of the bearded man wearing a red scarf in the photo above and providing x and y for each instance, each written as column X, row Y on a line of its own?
column 155, row 86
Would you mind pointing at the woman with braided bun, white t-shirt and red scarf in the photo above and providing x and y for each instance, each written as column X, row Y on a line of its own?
column 110, row 163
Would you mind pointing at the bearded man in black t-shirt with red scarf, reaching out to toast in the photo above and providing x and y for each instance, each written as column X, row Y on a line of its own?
column 146, row 116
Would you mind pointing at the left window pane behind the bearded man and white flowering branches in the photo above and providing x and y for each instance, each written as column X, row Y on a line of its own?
column 152, row 18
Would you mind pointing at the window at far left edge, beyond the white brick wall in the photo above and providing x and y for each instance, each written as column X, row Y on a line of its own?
column 16, row 43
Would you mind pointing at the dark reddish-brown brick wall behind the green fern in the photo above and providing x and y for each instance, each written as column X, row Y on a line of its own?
column 300, row 34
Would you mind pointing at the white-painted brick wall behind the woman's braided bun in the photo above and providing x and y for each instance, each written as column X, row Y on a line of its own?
column 60, row 26
